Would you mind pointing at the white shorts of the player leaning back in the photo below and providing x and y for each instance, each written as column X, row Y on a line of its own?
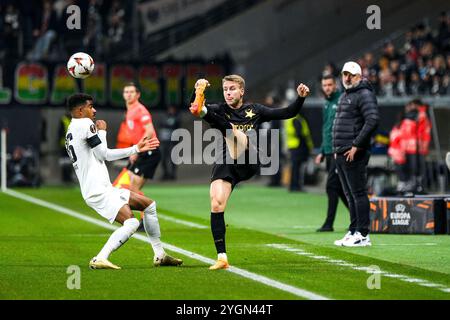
column 108, row 204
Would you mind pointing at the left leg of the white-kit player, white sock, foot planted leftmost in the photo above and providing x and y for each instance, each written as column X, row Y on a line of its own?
column 121, row 235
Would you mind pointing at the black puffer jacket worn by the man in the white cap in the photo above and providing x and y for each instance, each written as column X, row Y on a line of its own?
column 356, row 118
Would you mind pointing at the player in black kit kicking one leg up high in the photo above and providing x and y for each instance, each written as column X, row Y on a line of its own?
column 235, row 117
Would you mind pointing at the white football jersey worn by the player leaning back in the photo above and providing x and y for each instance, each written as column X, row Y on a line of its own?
column 81, row 138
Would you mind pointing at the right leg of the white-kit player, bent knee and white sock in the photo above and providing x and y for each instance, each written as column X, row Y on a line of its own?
column 151, row 225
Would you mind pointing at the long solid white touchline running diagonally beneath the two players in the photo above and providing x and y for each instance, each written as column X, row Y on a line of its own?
column 243, row 273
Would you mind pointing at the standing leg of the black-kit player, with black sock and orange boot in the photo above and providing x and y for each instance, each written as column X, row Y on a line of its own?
column 220, row 192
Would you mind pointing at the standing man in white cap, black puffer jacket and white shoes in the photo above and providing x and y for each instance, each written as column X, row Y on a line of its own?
column 356, row 119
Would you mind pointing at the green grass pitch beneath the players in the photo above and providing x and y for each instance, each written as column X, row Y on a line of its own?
column 38, row 244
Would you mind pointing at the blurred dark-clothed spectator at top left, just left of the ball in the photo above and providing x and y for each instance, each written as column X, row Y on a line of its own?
column 45, row 31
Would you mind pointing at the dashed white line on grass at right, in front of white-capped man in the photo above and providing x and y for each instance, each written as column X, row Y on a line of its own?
column 420, row 282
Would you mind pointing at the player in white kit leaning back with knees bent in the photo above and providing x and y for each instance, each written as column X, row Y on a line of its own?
column 87, row 147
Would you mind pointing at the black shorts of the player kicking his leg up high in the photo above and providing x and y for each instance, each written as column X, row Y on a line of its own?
column 234, row 173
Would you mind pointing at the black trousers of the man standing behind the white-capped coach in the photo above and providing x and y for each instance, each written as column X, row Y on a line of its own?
column 334, row 190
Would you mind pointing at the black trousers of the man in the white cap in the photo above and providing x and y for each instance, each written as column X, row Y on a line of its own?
column 353, row 176
